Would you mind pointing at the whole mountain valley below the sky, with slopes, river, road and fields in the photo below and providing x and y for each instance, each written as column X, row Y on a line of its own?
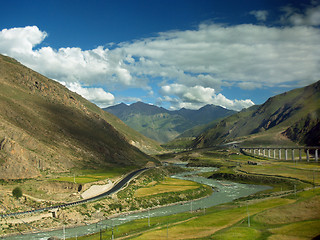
column 204, row 181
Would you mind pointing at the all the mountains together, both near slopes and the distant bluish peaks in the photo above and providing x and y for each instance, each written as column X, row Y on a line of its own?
column 46, row 128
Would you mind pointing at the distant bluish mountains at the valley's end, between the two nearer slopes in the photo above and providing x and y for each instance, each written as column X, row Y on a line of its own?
column 163, row 125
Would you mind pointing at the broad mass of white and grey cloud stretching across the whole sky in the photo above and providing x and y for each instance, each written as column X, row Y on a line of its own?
column 185, row 68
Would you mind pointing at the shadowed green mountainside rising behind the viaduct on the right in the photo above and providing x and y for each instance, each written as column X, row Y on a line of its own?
column 291, row 116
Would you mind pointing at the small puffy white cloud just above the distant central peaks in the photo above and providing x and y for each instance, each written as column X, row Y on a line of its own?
column 195, row 97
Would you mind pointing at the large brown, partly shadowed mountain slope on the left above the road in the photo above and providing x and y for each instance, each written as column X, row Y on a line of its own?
column 46, row 128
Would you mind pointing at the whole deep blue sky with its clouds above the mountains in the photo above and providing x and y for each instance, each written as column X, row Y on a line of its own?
column 170, row 53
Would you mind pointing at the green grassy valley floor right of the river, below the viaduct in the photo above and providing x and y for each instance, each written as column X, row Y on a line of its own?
column 279, row 213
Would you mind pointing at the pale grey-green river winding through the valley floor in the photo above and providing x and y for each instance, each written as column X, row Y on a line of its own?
column 225, row 191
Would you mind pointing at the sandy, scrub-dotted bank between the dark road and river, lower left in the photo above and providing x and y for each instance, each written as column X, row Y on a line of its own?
column 82, row 215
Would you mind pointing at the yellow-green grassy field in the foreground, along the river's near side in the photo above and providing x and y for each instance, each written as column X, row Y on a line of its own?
column 230, row 221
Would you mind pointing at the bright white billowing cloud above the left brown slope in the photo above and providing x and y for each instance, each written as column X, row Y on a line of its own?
column 68, row 64
